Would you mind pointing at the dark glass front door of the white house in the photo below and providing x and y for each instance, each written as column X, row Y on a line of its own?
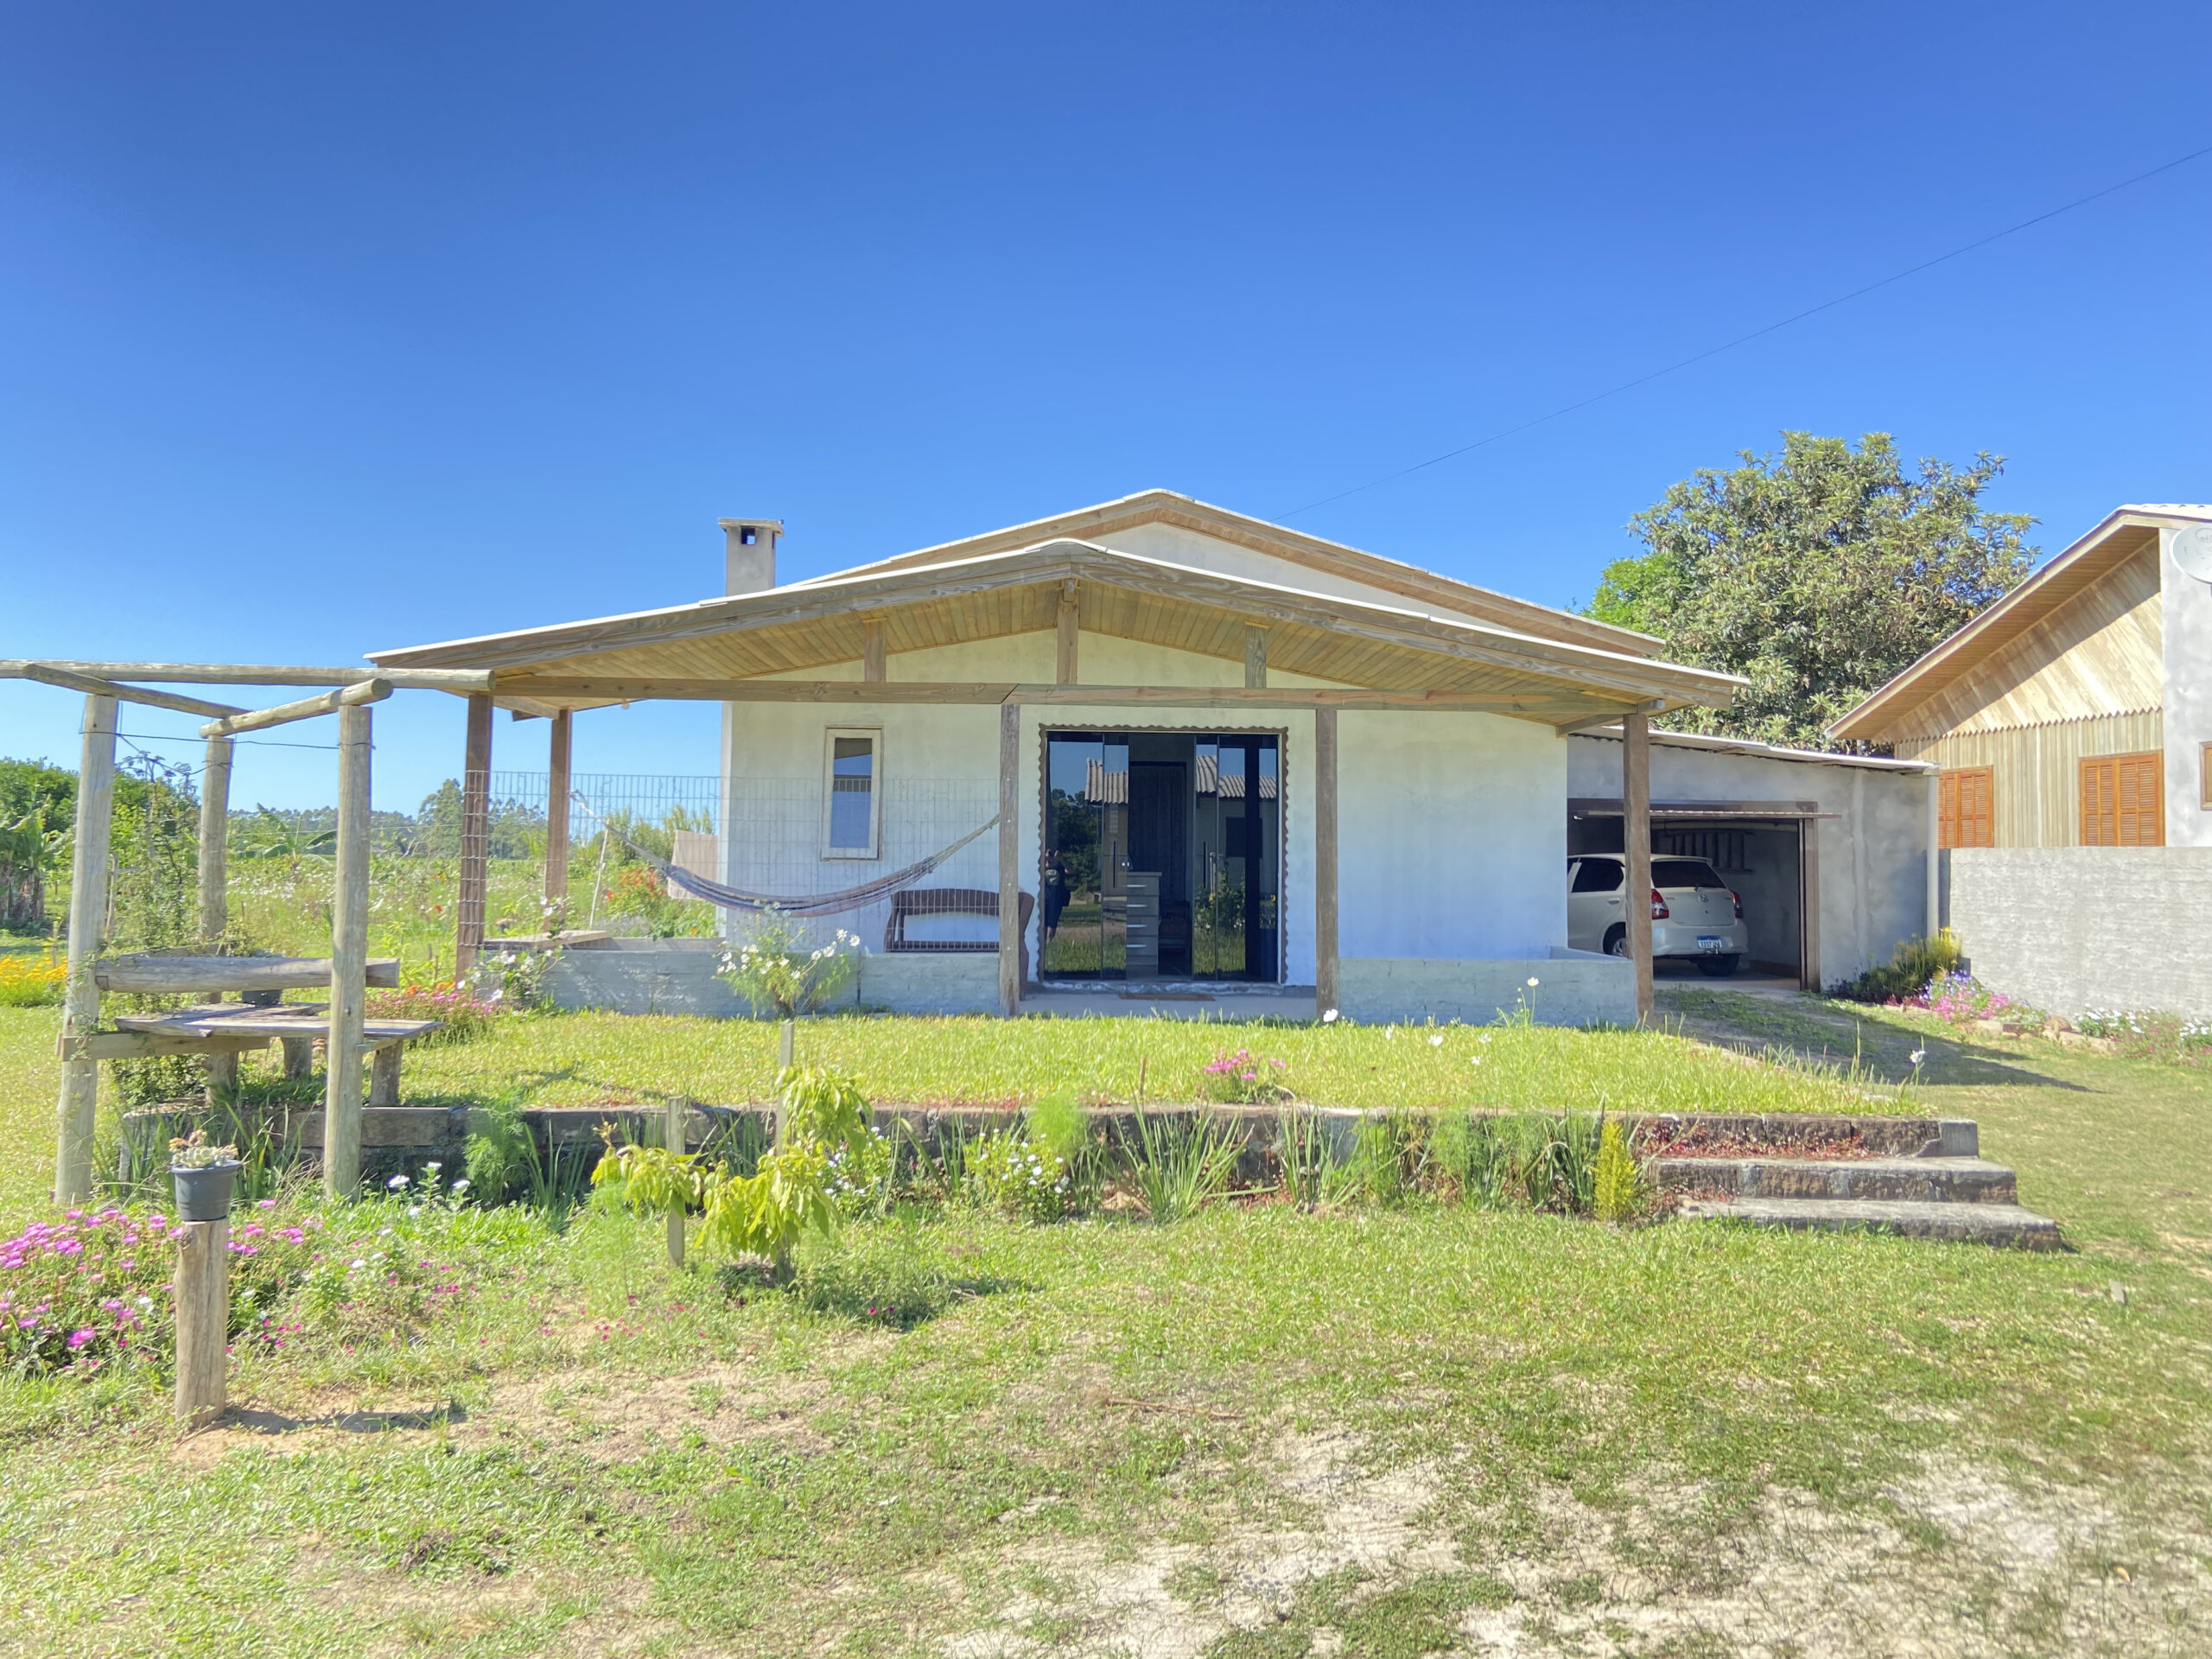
column 1162, row 857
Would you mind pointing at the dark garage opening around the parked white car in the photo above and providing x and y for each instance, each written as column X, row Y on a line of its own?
column 1762, row 848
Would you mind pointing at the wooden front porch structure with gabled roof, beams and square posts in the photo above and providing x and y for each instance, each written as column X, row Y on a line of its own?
column 755, row 649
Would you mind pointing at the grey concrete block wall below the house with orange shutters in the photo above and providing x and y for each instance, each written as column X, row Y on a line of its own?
column 2087, row 928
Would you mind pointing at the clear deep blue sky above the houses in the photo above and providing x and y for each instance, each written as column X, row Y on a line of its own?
column 333, row 328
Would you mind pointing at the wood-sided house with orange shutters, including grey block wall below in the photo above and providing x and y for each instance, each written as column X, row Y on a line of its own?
column 2072, row 724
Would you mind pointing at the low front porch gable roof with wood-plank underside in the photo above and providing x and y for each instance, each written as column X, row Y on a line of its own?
column 691, row 651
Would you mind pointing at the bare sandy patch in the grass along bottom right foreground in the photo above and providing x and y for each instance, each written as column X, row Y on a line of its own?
column 1957, row 1563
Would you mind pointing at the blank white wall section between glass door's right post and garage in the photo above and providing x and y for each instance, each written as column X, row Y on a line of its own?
column 1452, row 837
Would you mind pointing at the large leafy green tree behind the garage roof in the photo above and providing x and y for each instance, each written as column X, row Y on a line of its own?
column 1815, row 574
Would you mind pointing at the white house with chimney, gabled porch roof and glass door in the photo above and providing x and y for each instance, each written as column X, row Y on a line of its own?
column 1182, row 722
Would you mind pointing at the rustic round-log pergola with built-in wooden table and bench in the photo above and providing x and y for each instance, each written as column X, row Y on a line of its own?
column 107, row 687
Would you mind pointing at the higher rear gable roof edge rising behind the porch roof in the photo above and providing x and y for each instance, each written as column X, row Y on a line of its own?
column 1315, row 554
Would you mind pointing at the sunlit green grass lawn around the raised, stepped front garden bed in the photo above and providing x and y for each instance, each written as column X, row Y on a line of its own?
column 1255, row 1432
